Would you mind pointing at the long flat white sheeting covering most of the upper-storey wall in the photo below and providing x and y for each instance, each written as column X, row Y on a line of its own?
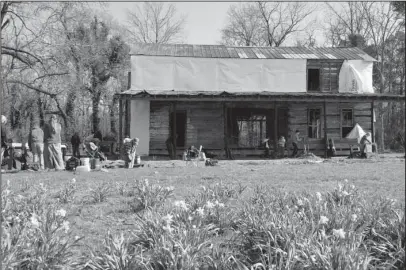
column 217, row 74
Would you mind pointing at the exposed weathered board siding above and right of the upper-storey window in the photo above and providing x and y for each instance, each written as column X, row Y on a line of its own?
column 329, row 71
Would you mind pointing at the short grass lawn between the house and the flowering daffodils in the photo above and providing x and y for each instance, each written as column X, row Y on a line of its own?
column 381, row 176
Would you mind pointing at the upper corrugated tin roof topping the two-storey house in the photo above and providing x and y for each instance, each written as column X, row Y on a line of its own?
column 221, row 51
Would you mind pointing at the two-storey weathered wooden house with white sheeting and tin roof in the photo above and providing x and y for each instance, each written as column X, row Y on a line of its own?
column 234, row 97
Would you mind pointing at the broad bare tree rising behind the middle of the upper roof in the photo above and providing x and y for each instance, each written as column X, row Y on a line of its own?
column 265, row 23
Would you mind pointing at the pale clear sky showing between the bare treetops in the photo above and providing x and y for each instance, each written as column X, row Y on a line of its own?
column 204, row 19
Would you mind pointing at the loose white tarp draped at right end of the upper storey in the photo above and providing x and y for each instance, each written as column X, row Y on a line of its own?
column 356, row 76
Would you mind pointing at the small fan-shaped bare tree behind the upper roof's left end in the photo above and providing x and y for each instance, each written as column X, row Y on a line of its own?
column 155, row 23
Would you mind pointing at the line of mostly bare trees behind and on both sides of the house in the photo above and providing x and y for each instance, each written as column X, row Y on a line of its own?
column 71, row 58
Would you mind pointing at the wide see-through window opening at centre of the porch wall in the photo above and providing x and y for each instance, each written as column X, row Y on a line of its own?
column 252, row 130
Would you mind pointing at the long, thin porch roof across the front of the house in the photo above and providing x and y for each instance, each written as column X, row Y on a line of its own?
column 257, row 96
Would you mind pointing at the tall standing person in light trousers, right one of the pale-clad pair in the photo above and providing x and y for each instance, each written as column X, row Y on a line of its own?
column 52, row 145
